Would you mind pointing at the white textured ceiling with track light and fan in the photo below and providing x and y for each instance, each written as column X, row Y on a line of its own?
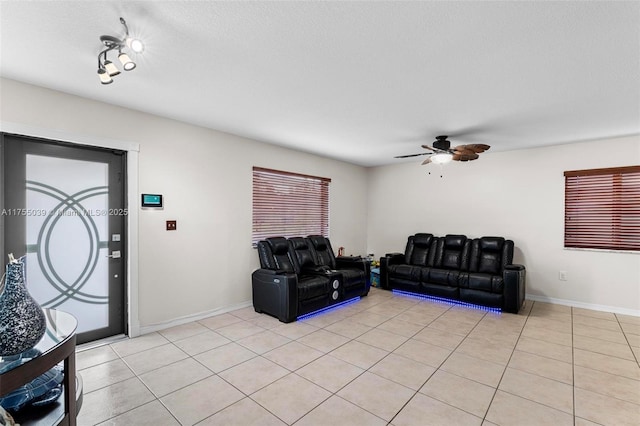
column 357, row 81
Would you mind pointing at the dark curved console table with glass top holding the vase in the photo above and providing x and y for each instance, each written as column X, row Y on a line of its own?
column 57, row 345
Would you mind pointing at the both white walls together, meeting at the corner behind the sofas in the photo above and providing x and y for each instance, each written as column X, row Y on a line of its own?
column 205, row 176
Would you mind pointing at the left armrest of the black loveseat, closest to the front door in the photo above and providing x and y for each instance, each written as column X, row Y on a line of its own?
column 275, row 293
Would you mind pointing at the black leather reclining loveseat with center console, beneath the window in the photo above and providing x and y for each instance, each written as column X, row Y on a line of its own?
column 301, row 275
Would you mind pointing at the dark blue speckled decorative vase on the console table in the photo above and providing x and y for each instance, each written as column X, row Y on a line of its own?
column 22, row 321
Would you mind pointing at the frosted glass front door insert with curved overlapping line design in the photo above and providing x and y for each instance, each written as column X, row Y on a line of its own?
column 67, row 237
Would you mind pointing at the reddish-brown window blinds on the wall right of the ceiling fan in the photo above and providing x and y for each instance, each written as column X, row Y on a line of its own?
column 602, row 208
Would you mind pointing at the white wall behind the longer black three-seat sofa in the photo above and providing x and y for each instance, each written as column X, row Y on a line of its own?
column 518, row 195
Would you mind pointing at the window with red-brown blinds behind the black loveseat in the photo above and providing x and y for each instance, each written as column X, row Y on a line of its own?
column 289, row 204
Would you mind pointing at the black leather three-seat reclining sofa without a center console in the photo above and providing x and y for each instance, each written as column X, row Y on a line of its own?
column 477, row 271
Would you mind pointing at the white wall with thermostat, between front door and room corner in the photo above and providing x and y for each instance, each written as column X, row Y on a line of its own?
column 206, row 179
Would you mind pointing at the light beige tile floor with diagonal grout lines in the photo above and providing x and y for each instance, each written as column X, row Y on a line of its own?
column 387, row 359
